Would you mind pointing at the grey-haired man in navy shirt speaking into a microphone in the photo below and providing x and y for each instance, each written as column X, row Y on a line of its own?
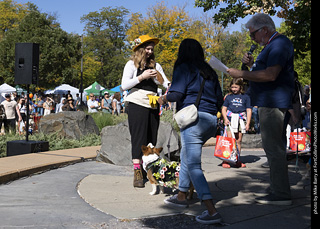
column 271, row 86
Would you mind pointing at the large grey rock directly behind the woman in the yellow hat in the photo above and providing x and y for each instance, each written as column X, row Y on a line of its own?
column 116, row 143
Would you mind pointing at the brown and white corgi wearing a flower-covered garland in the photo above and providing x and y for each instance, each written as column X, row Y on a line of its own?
column 155, row 166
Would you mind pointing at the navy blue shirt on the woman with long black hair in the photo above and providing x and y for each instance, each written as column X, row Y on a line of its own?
column 188, row 82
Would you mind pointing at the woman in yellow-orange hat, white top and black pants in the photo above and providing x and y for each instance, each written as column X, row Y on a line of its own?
column 141, row 77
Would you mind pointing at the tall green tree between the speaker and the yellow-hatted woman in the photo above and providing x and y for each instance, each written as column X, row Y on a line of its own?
column 105, row 35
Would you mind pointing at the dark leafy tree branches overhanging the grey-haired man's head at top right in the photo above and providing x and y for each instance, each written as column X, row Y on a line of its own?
column 296, row 13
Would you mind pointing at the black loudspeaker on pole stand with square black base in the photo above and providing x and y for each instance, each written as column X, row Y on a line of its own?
column 26, row 72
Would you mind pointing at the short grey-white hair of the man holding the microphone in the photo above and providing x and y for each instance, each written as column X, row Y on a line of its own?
column 260, row 20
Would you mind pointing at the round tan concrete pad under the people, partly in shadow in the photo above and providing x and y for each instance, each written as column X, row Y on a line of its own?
column 233, row 191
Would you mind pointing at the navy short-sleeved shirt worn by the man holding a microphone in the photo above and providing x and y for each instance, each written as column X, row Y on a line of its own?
column 276, row 94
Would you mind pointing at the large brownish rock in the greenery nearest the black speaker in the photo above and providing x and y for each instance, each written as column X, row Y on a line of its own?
column 71, row 124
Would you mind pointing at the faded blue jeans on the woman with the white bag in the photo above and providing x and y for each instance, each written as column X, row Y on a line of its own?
column 193, row 137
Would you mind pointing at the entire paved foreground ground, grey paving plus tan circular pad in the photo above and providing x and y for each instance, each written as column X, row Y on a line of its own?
column 99, row 195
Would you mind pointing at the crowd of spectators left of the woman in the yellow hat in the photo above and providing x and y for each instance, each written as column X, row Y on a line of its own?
column 13, row 108
